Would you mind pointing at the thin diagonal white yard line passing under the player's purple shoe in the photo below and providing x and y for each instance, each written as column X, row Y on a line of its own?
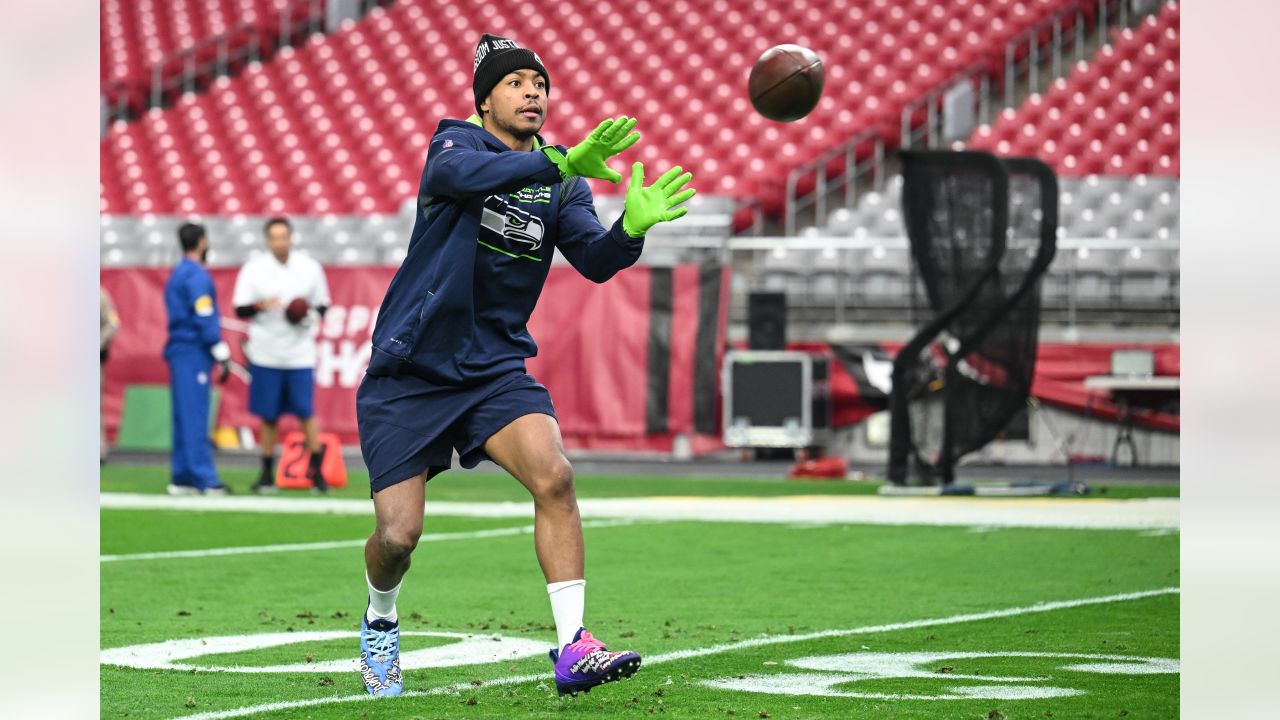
column 706, row 651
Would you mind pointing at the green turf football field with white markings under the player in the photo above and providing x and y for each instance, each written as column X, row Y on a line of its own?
column 734, row 619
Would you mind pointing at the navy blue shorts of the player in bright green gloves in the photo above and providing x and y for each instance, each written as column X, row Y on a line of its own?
column 409, row 426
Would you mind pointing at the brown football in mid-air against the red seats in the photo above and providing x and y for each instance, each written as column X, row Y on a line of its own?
column 787, row 83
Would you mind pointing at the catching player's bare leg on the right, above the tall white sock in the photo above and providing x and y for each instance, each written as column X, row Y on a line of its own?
column 532, row 450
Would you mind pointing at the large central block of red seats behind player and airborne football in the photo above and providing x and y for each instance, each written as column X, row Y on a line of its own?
column 340, row 125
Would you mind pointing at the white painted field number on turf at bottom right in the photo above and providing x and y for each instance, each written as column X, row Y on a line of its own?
column 838, row 676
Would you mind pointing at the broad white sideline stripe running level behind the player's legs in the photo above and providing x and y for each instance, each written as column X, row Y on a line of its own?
column 1145, row 514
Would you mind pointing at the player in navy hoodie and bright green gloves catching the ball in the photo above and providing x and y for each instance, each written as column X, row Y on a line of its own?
column 447, row 371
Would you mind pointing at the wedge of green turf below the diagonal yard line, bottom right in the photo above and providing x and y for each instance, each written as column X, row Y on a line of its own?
column 688, row 683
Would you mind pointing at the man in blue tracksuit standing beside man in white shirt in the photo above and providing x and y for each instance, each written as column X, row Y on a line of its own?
column 194, row 347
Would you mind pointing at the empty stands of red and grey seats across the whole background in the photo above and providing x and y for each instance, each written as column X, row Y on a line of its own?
column 333, row 134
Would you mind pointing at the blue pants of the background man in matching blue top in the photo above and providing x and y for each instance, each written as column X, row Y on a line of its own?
column 189, row 389
